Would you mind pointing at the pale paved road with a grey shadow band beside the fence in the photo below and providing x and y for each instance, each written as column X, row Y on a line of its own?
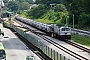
column 15, row 49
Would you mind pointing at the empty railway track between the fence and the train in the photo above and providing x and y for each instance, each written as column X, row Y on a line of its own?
column 77, row 56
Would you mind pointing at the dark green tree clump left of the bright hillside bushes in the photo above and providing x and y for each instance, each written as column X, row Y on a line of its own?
column 37, row 12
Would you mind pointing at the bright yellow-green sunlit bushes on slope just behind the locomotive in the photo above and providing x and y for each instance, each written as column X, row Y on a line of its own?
column 59, row 17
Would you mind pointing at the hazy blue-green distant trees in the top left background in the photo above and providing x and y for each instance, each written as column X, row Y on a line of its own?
column 17, row 5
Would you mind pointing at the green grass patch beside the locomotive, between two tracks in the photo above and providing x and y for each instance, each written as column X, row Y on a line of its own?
column 81, row 39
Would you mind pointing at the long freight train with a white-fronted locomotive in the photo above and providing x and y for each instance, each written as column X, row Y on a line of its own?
column 58, row 31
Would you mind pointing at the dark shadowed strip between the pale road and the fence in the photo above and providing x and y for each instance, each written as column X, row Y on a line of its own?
column 36, row 50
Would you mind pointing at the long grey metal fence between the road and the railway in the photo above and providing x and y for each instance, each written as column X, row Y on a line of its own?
column 38, row 43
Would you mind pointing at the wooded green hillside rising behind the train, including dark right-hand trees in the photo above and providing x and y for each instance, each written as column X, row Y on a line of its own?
column 62, row 11
